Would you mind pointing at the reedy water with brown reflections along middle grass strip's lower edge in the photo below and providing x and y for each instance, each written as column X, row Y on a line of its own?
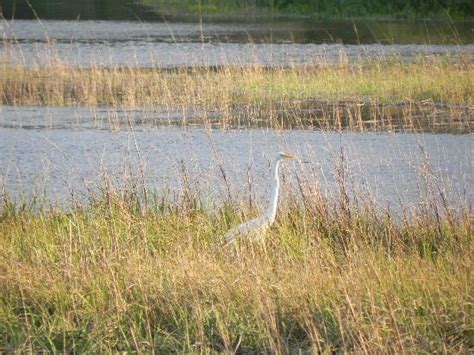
column 309, row 114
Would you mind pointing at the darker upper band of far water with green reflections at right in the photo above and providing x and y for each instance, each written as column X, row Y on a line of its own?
column 302, row 31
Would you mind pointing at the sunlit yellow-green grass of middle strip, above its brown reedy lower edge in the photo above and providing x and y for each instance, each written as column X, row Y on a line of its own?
column 387, row 80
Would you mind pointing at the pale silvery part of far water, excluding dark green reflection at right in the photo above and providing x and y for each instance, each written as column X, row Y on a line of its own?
column 86, row 43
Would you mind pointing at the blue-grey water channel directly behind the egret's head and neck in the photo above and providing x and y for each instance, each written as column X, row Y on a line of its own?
column 385, row 168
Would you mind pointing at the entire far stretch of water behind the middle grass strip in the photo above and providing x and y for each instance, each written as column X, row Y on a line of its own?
column 158, row 44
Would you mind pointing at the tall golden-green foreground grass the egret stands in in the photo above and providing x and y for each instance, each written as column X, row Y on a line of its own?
column 113, row 277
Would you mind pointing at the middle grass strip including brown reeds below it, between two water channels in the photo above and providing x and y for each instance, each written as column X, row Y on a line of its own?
column 324, row 95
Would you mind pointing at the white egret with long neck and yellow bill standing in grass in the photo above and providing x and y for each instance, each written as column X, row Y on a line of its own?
column 257, row 227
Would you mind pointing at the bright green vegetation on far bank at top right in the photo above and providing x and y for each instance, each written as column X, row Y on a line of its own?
column 319, row 8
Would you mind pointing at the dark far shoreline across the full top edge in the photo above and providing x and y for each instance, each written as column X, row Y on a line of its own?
column 147, row 9
